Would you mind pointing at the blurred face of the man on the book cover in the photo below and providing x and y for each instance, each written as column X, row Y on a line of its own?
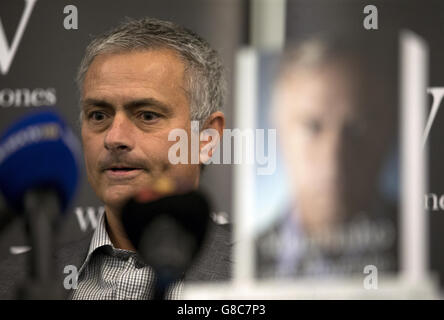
column 334, row 135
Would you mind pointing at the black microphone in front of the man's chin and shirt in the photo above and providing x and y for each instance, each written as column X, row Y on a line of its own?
column 167, row 233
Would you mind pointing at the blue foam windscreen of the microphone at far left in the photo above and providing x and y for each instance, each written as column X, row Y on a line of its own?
column 39, row 151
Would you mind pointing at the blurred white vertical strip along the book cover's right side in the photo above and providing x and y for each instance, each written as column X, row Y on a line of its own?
column 414, row 75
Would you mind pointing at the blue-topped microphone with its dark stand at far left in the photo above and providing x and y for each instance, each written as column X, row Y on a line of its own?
column 39, row 169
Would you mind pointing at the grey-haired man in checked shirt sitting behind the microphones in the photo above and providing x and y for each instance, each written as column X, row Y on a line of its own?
column 138, row 82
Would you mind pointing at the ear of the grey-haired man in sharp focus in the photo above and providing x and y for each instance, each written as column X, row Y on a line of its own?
column 210, row 136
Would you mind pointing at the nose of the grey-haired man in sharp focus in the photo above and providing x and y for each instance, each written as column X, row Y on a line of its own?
column 119, row 136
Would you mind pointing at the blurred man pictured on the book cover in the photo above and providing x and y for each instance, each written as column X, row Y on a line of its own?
column 335, row 112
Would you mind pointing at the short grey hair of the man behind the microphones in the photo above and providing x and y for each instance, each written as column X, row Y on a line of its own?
column 204, row 73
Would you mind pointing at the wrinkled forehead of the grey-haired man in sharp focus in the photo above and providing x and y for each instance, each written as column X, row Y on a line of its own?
column 137, row 74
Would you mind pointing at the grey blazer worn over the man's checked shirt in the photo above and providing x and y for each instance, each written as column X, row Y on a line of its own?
column 212, row 264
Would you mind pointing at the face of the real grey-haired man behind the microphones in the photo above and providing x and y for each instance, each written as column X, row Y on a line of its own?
column 131, row 101
